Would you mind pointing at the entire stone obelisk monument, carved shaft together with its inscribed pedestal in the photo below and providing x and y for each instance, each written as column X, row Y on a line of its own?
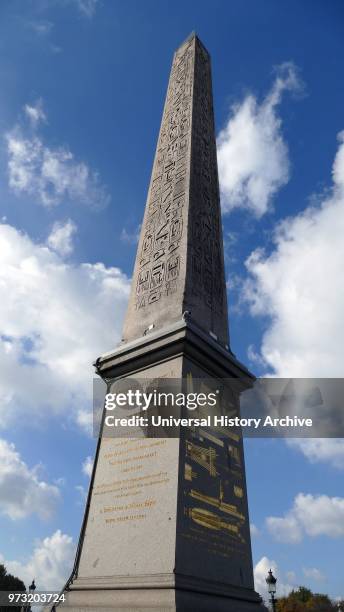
column 166, row 523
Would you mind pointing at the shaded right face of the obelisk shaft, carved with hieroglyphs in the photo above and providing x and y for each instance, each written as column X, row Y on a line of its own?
column 207, row 259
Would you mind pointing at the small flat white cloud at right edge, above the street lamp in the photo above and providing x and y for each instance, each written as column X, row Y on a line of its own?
column 311, row 515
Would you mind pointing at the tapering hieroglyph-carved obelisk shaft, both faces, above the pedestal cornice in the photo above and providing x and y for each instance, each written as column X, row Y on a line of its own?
column 179, row 264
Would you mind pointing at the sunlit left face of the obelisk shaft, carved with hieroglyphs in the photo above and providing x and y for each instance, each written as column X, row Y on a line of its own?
column 159, row 259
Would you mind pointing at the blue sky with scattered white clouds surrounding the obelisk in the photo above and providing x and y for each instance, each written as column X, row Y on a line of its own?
column 82, row 89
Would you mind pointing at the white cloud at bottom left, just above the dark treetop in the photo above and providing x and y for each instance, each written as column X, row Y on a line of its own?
column 50, row 563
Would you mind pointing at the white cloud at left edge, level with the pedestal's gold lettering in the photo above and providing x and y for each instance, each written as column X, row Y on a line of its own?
column 21, row 491
